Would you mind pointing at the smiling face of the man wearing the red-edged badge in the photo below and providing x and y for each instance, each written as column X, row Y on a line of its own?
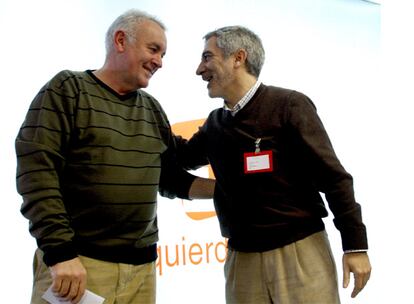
column 216, row 70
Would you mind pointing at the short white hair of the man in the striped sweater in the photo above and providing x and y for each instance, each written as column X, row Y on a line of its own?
column 128, row 22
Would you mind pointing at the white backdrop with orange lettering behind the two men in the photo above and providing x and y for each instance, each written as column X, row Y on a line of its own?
column 330, row 50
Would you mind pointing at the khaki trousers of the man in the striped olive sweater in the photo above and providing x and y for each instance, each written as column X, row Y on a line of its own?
column 118, row 283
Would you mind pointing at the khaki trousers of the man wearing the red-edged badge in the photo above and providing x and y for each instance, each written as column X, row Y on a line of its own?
column 303, row 272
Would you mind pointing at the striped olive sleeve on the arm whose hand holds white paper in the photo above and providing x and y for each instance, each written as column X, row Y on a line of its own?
column 40, row 150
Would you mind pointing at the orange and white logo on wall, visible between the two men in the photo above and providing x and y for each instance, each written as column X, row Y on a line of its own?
column 195, row 210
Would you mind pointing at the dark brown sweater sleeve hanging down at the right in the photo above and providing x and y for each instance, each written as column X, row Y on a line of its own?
column 329, row 175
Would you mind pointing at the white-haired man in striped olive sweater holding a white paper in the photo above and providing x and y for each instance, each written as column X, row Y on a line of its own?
column 92, row 154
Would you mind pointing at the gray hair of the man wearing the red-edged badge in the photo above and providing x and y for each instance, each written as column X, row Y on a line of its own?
column 230, row 39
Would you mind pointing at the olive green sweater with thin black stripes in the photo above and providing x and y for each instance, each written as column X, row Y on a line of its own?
column 89, row 167
